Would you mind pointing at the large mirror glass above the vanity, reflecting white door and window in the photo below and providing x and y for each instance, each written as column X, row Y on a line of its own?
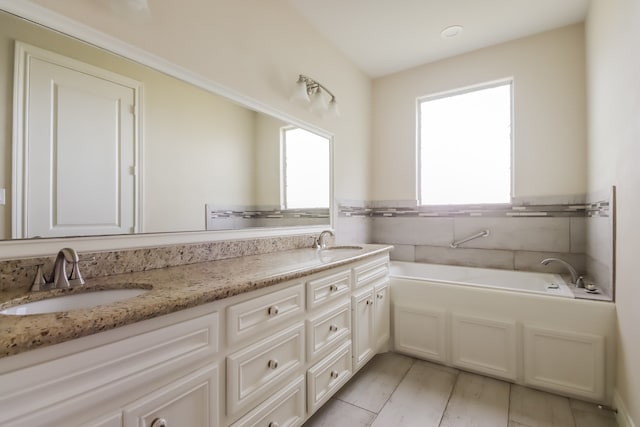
column 202, row 162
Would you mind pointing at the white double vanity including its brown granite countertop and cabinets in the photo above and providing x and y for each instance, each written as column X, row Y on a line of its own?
column 254, row 340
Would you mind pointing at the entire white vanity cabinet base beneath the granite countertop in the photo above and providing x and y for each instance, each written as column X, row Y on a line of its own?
column 269, row 357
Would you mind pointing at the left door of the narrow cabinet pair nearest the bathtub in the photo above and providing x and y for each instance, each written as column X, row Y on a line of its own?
column 362, row 306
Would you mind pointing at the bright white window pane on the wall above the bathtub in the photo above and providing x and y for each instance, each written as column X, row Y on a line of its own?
column 464, row 141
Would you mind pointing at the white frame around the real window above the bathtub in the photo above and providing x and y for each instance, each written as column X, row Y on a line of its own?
column 461, row 91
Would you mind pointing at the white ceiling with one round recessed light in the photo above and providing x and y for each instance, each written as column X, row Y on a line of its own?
column 385, row 36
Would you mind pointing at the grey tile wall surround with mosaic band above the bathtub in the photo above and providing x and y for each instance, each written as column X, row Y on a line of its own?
column 574, row 228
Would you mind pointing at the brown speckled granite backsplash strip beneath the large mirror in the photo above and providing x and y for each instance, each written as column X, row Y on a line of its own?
column 19, row 273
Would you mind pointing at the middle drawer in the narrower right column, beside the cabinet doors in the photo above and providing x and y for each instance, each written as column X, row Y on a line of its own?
column 328, row 329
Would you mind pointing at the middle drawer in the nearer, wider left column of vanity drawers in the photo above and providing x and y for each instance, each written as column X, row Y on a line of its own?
column 254, row 372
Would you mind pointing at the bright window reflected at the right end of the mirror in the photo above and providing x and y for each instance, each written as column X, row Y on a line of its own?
column 305, row 169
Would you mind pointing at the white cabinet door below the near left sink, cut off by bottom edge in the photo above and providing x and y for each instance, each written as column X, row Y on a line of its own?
column 191, row 401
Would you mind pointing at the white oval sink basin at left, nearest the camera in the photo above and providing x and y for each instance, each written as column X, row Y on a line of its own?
column 73, row 302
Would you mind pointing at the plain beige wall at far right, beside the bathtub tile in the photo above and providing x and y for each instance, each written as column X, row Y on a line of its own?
column 613, row 69
